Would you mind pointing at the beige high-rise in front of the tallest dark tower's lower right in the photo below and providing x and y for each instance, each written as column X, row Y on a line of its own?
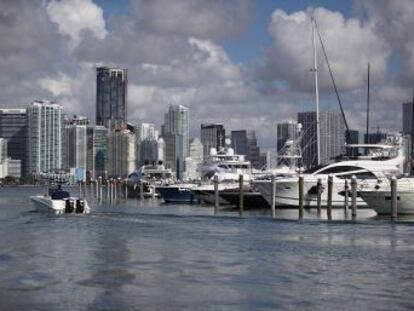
column 121, row 153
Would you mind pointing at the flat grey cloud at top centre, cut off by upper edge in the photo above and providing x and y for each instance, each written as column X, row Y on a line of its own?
column 199, row 18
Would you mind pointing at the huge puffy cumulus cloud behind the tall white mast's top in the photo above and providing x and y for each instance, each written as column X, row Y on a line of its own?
column 350, row 45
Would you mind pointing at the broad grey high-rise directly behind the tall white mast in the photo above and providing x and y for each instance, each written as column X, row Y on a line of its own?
column 332, row 136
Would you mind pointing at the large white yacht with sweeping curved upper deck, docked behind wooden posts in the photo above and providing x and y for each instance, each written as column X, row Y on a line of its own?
column 367, row 162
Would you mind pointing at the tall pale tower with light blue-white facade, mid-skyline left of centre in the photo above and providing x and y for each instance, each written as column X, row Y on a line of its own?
column 176, row 136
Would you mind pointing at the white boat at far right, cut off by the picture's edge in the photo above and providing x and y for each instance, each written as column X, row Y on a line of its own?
column 378, row 197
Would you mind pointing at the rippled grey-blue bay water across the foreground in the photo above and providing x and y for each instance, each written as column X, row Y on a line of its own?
column 142, row 257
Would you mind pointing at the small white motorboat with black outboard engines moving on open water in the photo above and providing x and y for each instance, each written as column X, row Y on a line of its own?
column 63, row 204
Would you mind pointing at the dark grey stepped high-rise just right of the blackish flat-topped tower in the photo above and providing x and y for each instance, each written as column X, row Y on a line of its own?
column 245, row 142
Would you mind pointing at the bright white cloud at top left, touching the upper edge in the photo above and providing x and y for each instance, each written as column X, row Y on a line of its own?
column 76, row 16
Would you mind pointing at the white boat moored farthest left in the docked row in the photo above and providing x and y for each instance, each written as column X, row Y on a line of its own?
column 150, row 176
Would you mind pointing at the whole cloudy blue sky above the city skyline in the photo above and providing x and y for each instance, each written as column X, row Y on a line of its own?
column 243, row 63
